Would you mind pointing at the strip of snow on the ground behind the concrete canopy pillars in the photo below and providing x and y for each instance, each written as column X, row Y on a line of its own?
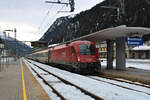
column 137, row 63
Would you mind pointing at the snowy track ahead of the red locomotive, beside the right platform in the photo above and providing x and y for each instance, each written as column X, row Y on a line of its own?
column 119, row 85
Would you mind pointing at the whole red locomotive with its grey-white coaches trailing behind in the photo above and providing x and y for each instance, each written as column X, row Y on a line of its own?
column 78, row 56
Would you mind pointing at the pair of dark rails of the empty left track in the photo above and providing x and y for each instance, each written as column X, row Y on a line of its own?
column 93, row 96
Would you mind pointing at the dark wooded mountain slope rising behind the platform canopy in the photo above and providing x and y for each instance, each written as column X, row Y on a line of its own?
column 137, row 13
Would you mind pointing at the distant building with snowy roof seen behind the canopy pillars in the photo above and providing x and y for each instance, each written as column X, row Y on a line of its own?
column 139, row 52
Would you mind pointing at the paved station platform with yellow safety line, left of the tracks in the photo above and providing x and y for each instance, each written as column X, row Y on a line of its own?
column 18, row 83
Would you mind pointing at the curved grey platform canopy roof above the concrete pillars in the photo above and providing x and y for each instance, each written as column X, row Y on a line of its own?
column 115, row 32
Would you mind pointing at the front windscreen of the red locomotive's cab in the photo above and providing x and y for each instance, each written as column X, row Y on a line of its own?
column 86, row 49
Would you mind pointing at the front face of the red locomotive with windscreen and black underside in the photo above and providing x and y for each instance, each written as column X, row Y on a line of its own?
column 87, row 57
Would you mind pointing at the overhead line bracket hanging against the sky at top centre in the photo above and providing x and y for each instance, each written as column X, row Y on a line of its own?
column 71, row 3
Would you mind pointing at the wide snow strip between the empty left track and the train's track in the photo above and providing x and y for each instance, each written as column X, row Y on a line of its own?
column 104, row 90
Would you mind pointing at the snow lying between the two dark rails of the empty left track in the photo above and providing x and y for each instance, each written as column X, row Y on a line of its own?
column 68, row 91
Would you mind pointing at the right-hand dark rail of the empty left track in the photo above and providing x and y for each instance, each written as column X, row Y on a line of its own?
column 67, row 82
